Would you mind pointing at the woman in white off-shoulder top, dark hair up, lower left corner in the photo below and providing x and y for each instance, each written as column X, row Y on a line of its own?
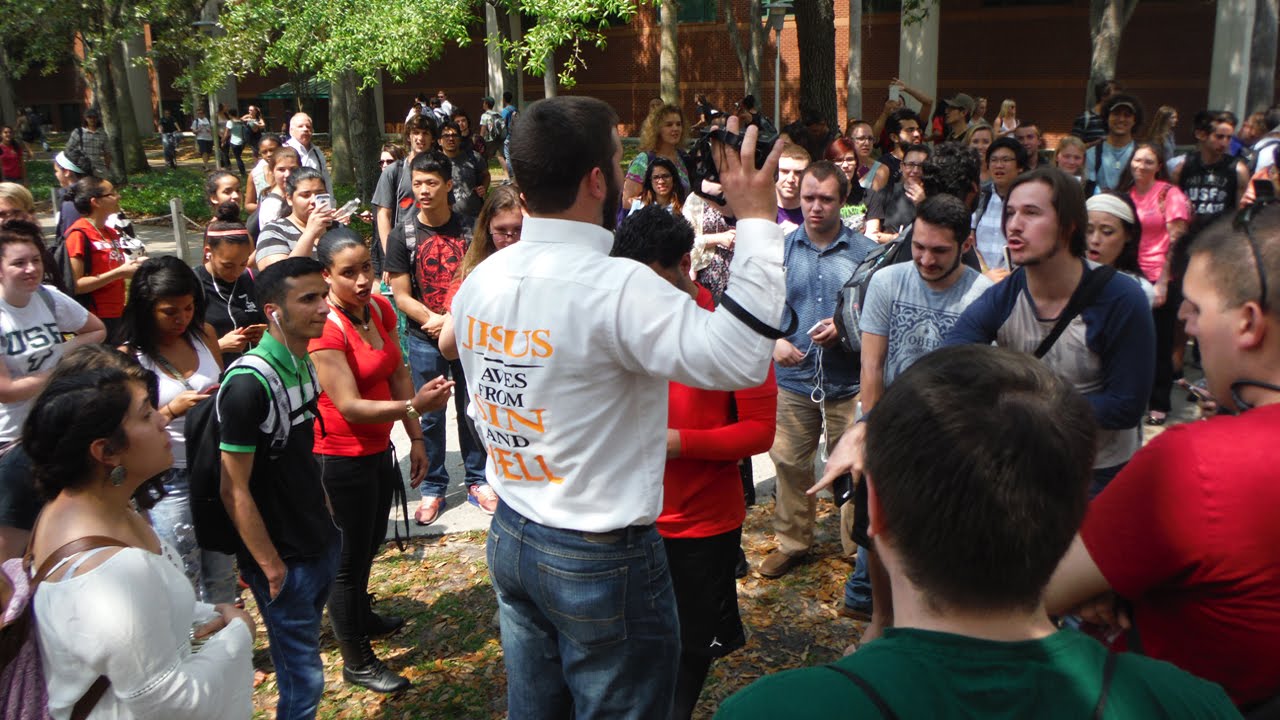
column 127, row 612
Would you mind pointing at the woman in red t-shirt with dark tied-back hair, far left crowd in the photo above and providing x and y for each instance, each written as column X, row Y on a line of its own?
column 98, row 261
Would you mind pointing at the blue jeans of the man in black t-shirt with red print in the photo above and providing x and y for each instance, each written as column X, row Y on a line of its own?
column 427, row 363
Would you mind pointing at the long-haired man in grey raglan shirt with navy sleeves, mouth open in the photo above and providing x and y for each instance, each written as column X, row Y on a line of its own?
column 1107, row 350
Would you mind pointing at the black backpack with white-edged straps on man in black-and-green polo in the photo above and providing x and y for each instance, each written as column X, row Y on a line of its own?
column 214, row 527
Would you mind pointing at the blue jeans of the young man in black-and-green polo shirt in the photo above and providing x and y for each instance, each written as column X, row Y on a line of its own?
column 292, row 625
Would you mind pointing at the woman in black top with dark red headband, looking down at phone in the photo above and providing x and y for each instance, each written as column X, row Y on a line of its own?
column 228, row 286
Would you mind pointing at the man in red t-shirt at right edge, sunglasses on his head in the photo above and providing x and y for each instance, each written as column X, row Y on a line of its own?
column 1188, row 534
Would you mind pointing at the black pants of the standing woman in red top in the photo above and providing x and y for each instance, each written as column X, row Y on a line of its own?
column 360, row 493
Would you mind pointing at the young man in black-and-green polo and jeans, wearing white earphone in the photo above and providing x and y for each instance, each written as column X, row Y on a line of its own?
column 289, row 541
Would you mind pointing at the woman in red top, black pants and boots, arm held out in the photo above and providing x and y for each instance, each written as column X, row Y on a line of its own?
column 367, row 389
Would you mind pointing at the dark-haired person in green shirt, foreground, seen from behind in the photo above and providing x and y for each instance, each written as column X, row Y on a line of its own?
column 971, row 512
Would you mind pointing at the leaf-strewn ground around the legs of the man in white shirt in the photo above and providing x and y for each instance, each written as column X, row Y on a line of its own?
column 450, row 646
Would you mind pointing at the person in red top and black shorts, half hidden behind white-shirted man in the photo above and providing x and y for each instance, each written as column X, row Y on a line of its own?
column 703, row 508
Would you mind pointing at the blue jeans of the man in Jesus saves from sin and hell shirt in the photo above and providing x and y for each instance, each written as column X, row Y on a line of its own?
column 589, row 625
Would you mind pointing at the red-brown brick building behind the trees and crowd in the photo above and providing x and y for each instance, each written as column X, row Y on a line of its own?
column 1036, row 52
